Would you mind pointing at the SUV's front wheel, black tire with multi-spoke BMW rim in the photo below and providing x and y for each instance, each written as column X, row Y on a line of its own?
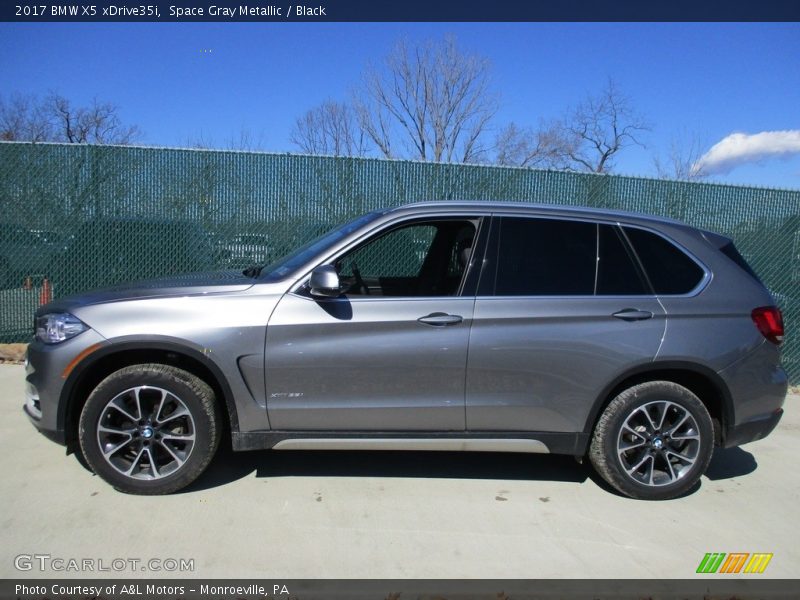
column 162, row 448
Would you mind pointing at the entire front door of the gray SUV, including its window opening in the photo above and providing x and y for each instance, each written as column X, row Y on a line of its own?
column 390, row 353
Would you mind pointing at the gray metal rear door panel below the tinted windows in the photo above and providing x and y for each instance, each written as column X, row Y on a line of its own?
column 536, row 363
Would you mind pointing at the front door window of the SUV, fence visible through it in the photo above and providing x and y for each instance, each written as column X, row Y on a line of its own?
column 427, row 258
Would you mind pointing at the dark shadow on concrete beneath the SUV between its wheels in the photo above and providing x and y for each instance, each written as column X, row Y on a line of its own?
column 229, row 466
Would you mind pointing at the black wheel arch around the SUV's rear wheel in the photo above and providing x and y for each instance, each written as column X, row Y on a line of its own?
column 702, row 381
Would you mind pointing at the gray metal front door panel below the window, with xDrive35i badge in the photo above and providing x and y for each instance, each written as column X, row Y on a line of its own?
column 366, row 364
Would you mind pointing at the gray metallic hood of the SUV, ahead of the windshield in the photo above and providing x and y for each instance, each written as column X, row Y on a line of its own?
column 190, row 284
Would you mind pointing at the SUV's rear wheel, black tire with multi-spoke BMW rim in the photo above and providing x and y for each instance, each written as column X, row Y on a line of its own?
column 649, row 457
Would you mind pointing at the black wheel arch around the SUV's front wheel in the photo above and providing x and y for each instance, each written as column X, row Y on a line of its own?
column 100, row 364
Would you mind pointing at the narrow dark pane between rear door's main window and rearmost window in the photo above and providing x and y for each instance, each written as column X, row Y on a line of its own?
column 617, row 274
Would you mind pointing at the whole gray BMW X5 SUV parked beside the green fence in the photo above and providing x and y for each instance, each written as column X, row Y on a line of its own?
column 639, row 342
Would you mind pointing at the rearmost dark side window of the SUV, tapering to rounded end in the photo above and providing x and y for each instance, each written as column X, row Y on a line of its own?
column 669, row 269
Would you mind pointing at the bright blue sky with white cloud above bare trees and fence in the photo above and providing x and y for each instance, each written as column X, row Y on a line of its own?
column 692, row 81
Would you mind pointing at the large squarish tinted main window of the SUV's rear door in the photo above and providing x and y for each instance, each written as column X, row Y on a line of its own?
column 546, row 257
